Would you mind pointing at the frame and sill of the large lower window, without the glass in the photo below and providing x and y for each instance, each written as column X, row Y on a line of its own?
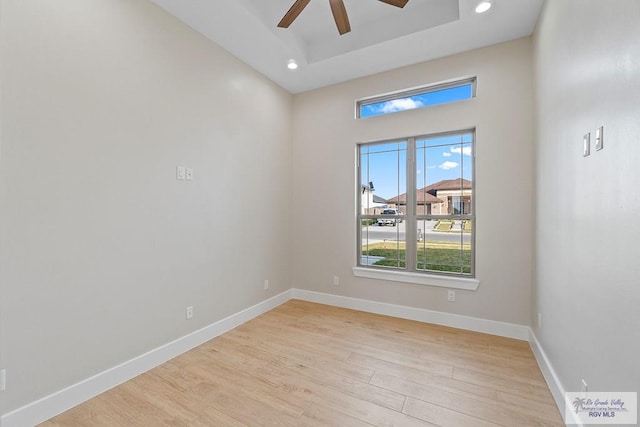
column 410, row 274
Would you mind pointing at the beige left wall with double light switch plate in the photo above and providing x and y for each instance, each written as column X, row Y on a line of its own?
column 102, row 248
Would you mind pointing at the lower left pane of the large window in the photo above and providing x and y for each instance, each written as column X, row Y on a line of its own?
column 382, row 246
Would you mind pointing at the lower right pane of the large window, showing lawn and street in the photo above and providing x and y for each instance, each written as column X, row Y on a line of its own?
column 444, row 245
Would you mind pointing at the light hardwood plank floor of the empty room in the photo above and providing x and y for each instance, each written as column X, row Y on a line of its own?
column 305, row 364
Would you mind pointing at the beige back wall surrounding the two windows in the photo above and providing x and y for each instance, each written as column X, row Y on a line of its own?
column 325, row 136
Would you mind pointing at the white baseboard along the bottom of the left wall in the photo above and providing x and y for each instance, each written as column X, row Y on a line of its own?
column 56, row 403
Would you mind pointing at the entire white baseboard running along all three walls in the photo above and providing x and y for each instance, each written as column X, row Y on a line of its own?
column 56, row 403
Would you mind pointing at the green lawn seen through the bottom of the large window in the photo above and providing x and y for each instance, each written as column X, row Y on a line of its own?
column 432, row 255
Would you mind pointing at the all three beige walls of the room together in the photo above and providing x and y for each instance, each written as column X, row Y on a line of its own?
column 102, row 249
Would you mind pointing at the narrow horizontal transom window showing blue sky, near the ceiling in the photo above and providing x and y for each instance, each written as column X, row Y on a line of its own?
column 425, row 96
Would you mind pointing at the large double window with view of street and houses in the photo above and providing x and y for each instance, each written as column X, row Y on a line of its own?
column 418, row 216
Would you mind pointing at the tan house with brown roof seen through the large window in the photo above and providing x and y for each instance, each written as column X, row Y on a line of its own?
column 450, row 196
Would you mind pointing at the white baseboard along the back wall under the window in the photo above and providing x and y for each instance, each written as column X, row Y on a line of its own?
column 475, row 324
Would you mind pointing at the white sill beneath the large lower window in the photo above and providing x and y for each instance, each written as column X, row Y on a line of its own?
column 418, row 278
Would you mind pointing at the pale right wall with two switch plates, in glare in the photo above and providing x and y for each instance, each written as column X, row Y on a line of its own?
column 587, row 67
